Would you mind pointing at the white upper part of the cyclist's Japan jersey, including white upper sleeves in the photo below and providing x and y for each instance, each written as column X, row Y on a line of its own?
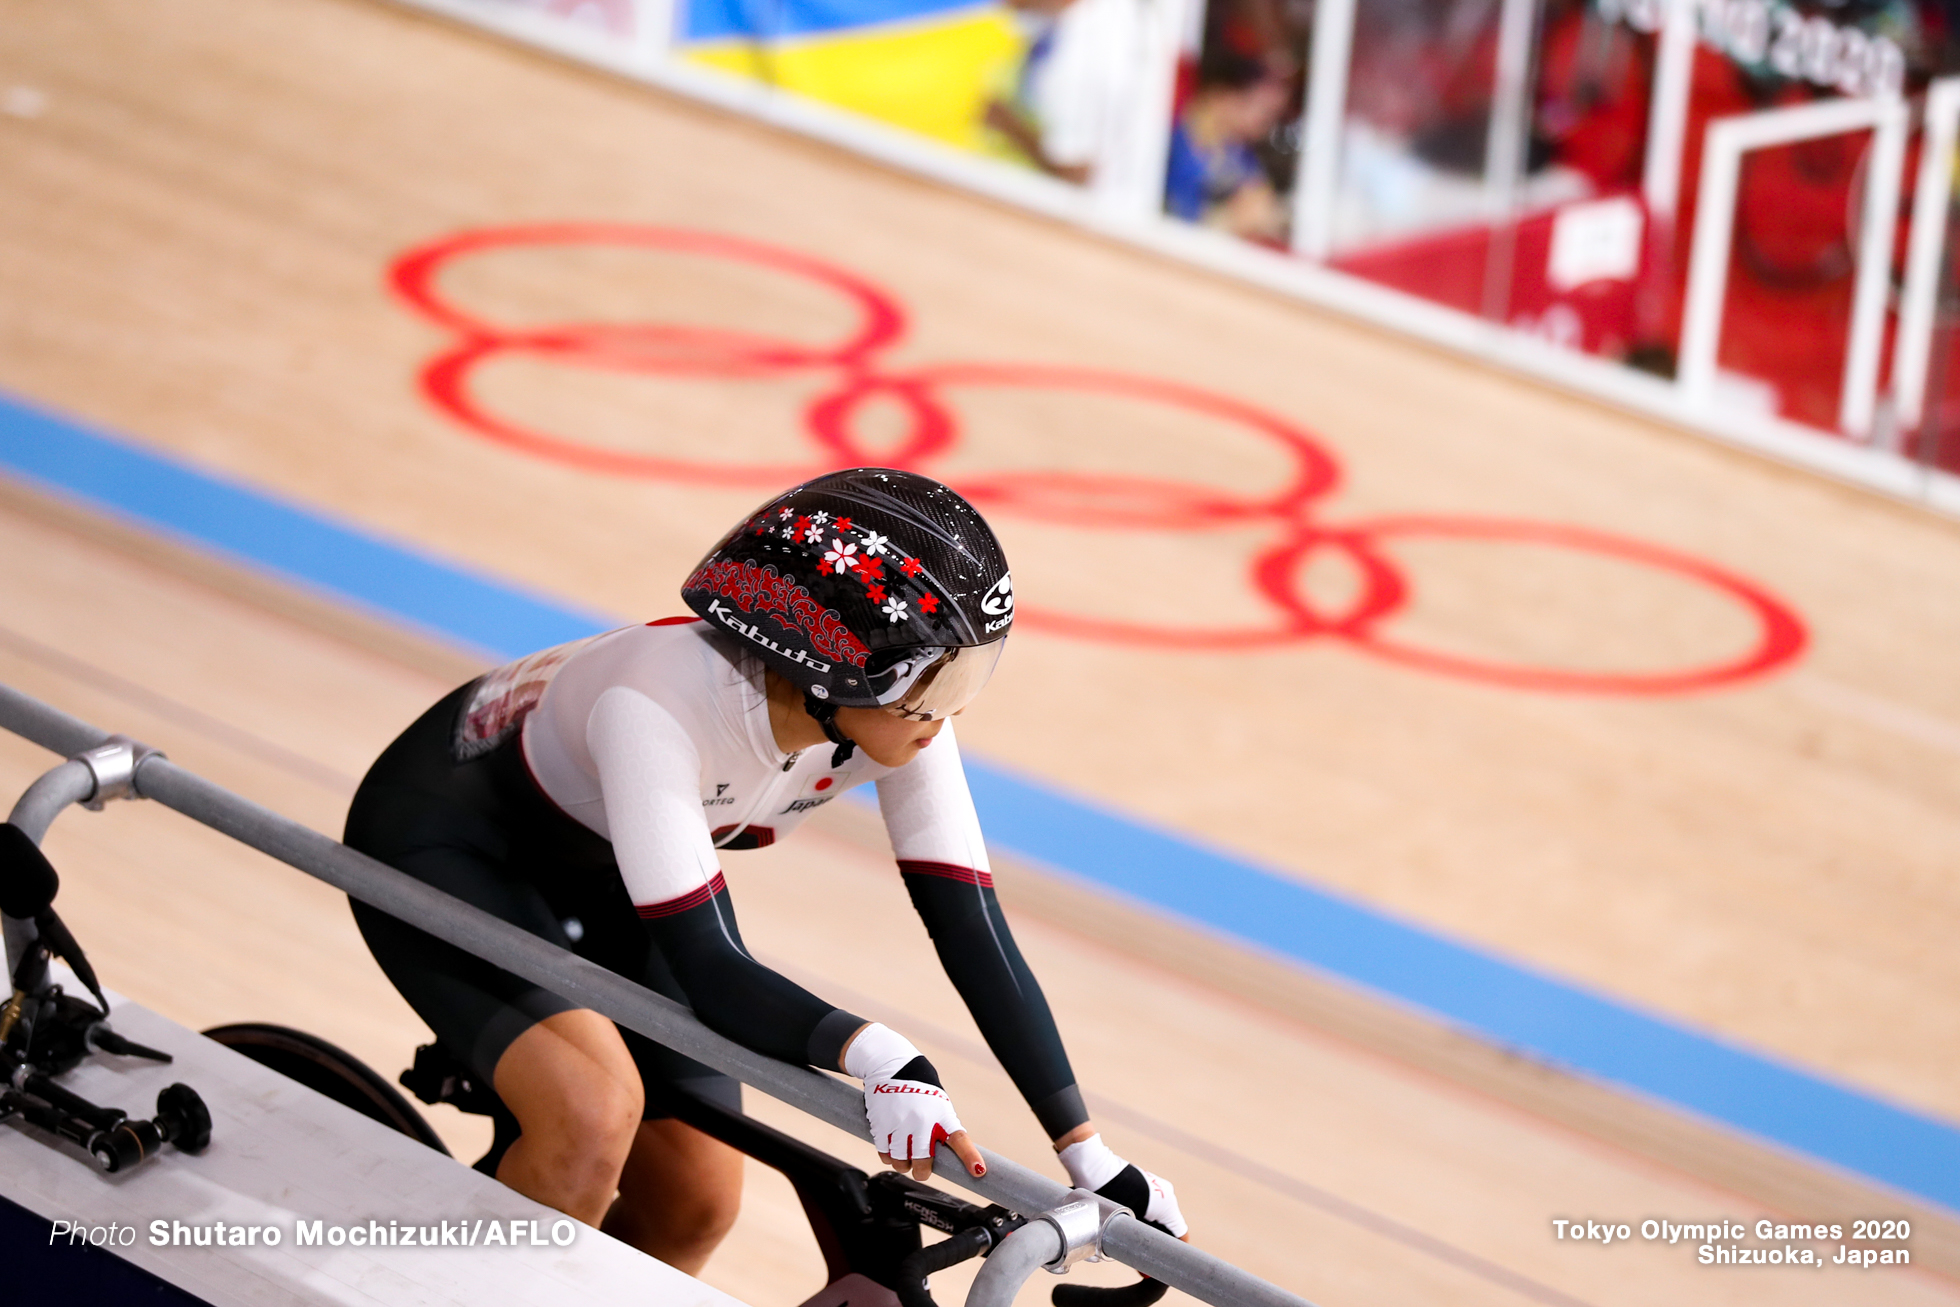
column 658, row 738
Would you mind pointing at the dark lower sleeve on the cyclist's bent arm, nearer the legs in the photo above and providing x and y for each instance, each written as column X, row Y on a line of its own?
column 738, row 996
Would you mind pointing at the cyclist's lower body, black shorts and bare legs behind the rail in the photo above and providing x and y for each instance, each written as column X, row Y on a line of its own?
column 575, row 1083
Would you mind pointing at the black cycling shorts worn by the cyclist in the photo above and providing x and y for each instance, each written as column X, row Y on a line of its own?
column 485, row 834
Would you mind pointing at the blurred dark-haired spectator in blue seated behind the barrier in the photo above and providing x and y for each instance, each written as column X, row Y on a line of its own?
column 1214, row 173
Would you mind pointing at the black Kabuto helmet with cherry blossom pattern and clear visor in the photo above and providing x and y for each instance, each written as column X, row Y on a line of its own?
column 865, row 589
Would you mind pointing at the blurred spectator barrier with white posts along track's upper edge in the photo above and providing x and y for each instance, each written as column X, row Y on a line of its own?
column 1536, row 168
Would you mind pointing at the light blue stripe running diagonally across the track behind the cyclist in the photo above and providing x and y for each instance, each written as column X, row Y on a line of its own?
column 1487, row 996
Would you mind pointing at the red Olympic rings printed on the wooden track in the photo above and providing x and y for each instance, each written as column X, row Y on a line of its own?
column 1053, row 497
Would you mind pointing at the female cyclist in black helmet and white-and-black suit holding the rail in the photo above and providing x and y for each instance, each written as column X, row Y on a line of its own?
column 585, row 795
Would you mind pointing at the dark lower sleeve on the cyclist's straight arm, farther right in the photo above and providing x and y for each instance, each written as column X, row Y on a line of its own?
column 975, row 945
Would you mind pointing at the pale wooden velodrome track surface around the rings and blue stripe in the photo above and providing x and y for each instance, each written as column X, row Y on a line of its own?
column 195, row 242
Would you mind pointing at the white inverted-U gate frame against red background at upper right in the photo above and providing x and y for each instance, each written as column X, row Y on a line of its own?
column 1708, row 271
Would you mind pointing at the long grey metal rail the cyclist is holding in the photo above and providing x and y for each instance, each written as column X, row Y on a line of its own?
column 607, row 992
